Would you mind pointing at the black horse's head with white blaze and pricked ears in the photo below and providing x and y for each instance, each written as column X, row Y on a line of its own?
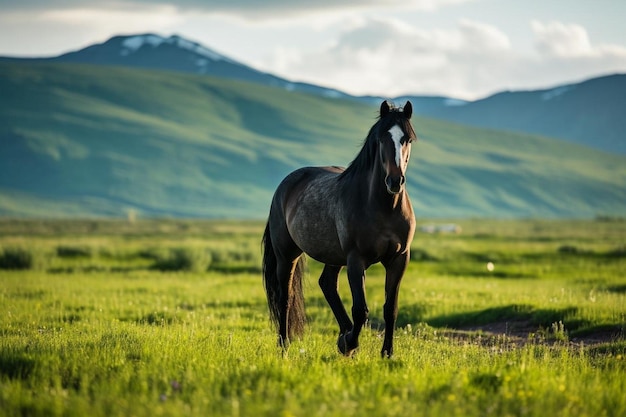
column 395, row 135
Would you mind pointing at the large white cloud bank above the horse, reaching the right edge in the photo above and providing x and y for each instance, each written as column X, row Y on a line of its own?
column 470, row 61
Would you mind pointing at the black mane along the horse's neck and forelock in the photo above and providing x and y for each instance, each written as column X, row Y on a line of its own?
column 367, row 155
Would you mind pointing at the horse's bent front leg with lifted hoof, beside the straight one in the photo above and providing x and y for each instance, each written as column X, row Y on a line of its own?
column 349, row 341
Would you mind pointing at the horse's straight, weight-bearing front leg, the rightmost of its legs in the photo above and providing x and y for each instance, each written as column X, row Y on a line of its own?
column 394, row 272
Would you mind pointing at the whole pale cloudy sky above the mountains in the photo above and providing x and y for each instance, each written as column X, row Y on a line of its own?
column 465, row 49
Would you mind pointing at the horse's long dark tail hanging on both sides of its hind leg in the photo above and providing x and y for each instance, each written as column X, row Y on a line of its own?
column 294, row 308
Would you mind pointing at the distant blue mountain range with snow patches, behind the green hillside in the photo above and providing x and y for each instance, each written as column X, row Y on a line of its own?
column 589, row 113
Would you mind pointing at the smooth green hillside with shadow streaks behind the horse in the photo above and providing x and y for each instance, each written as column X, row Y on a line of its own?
column 101, row 141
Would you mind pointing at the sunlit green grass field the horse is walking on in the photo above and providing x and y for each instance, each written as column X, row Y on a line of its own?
column 168, row 318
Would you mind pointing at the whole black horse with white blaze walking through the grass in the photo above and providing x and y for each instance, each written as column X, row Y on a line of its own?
column 352, row 218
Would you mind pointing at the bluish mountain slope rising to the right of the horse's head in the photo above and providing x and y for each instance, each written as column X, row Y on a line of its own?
column 590, row 113
